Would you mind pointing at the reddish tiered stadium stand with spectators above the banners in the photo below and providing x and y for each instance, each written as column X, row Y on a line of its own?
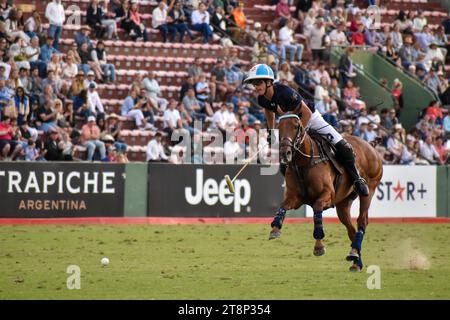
column 134, row 55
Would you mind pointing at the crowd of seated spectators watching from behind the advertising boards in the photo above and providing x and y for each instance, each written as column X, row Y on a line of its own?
column 49, row 99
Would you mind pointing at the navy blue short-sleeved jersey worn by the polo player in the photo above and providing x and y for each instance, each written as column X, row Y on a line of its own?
column 285, row 97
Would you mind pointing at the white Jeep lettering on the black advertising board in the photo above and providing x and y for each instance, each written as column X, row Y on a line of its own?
column 211, row 192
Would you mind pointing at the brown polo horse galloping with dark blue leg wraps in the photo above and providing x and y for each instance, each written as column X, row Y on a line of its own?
column 313, row 184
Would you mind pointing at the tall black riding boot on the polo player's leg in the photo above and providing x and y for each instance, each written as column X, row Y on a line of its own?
column 345, row 155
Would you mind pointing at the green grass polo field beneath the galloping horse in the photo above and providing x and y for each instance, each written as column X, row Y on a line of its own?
column 219, row 262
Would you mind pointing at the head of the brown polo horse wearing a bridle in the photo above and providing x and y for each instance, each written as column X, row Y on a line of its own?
column 291, row 132
